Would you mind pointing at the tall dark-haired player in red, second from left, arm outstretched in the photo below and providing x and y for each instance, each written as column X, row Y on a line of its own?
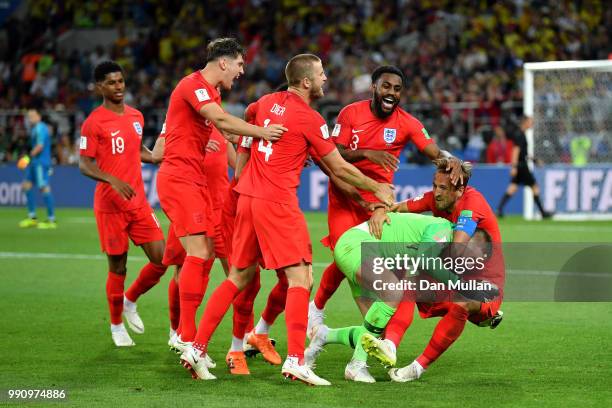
column 195, row 107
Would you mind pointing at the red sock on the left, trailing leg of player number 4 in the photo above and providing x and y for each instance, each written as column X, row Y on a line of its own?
column 216, row 307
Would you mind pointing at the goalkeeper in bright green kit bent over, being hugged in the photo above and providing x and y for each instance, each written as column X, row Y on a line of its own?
column 382, row 272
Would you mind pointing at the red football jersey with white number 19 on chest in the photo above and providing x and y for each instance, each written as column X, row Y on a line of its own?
column 114, row 141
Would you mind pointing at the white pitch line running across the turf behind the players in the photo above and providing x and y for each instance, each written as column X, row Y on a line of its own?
column 140, row 258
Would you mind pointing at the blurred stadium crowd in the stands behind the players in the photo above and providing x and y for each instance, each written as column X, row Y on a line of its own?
column 451, row 51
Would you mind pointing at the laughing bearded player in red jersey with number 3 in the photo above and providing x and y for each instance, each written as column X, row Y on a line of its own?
column 371, row 134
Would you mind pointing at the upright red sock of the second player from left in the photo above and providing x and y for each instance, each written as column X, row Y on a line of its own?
column 192, row 286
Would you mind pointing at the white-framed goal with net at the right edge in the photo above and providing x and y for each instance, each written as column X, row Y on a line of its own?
column 571, row 106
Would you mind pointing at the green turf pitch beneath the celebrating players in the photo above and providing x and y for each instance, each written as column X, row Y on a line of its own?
column 56, row 336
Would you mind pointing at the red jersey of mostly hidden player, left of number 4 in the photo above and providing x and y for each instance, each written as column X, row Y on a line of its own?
column 215, row 166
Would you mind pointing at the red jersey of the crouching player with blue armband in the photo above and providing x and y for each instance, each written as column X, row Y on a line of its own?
column 471, row 200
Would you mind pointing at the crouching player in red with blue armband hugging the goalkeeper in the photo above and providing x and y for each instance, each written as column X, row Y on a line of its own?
column 468, row 209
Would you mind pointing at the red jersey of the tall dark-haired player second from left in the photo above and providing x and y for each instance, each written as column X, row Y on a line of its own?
column 186, row 131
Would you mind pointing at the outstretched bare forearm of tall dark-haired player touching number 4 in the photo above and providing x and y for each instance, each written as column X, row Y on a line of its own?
column 231, row 124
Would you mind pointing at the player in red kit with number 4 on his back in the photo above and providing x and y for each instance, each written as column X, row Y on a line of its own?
column 270, row 228
